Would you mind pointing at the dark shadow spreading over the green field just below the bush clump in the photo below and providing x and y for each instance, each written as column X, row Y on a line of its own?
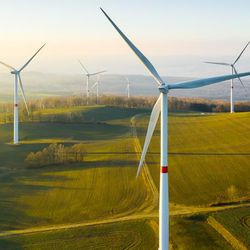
column 18, row 185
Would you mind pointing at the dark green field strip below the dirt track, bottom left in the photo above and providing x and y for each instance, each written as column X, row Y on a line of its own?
column 132, row 235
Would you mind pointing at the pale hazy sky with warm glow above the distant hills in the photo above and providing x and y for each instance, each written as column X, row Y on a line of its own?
column 177, row 36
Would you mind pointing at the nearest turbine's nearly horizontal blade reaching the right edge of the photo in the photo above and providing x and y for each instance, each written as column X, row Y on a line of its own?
column 204, row 82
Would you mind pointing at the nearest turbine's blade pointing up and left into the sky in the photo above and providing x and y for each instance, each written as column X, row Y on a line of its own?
column 143, row 59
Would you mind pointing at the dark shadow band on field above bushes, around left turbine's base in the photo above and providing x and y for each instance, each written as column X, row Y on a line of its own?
column 14, row 156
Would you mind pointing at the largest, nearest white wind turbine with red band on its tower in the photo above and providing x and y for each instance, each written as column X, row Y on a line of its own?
column 161, row 105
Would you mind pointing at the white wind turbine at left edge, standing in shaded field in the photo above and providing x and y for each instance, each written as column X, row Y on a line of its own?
column 17, row 80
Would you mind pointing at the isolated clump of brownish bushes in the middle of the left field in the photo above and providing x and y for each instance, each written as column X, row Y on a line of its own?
column 55, row 154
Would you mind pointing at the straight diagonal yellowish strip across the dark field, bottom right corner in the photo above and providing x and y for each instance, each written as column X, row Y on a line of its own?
column 231, row 239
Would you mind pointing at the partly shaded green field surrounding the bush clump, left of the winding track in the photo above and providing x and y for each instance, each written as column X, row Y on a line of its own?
column 78, row 192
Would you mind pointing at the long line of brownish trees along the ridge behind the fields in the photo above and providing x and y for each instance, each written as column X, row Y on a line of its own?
column 175, row 104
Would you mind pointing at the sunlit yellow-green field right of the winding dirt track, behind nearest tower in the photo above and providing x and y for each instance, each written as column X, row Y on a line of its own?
column 208, row 155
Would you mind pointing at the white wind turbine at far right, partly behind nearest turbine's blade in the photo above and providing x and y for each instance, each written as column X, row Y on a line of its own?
column 234, row 71
